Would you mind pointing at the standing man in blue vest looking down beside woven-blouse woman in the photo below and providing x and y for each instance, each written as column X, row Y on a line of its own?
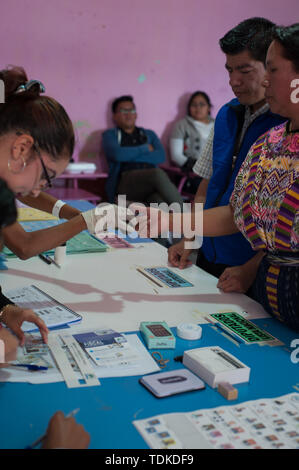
column 238, row 125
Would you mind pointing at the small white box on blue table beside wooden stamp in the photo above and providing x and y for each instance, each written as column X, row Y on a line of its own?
column 213, row 365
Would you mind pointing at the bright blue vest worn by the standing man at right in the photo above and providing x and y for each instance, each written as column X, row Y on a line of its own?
column 234, row 249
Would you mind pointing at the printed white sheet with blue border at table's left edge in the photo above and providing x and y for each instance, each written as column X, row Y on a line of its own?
column 48, row 309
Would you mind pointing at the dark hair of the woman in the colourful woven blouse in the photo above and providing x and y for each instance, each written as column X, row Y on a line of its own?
column 288, row 38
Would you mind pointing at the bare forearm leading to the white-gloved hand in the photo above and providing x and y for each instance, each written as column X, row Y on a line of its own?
column 26, row 244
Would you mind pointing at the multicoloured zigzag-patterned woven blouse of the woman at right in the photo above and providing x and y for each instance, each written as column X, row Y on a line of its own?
column 266, row 194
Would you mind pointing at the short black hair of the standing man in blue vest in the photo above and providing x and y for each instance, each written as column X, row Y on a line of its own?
column 253, row 35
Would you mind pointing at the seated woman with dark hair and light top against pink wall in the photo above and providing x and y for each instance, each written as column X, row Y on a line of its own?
column 189, row 136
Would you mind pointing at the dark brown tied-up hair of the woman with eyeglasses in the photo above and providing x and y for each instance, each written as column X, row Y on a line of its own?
column 41, row 116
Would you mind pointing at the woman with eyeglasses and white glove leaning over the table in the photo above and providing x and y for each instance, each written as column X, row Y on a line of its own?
column 36, row 144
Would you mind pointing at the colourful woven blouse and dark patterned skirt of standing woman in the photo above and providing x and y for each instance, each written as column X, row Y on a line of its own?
column 265, row 202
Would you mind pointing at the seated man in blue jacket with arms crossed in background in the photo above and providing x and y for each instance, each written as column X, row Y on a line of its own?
column 133, row 154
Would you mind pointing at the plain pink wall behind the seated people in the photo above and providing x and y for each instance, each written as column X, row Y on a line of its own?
column 89, row 51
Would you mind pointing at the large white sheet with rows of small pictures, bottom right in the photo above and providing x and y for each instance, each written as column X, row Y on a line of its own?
column 270, row 423
